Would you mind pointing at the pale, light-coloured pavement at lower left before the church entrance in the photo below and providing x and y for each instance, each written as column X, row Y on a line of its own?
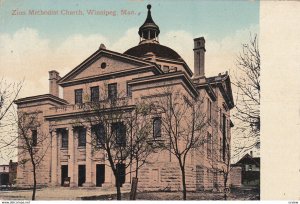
column 58, row 193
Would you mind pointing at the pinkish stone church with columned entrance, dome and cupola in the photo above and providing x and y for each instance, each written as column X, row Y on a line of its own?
column 139, row 72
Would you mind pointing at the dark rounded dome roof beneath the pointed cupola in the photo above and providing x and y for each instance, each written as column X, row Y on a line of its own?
column 157, row 49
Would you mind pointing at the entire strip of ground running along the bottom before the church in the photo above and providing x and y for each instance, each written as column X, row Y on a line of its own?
column 61, row 193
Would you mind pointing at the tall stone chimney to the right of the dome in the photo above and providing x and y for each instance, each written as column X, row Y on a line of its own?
column 199, row 56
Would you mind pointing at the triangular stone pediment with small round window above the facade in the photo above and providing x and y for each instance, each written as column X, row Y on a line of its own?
column 104, row 62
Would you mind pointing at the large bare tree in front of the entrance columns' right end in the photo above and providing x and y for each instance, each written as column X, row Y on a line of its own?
column 119, row 129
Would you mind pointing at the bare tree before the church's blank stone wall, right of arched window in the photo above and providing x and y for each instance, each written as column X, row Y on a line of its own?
column 182, row 123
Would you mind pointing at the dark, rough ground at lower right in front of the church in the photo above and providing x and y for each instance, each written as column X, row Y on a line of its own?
column 236, row 194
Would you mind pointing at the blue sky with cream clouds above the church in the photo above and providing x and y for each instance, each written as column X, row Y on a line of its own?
column 32, row 45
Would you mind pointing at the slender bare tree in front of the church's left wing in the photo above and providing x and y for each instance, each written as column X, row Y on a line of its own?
column 33, row 143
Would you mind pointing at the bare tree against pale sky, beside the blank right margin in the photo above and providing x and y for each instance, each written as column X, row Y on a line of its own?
column 247, row 82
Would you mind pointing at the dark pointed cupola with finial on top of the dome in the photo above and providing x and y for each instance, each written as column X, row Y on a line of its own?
column 149, row 31
